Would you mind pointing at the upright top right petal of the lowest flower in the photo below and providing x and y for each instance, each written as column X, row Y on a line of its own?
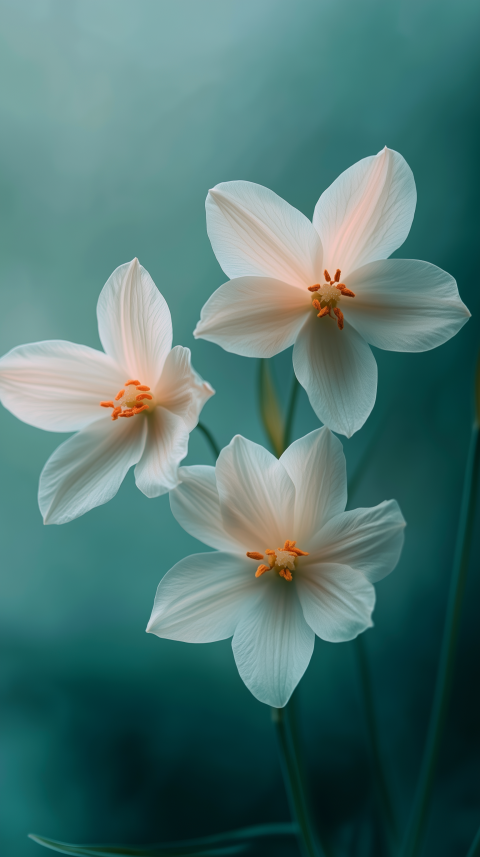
column 316, row 466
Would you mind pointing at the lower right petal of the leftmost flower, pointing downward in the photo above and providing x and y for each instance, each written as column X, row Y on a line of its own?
column 166, row 446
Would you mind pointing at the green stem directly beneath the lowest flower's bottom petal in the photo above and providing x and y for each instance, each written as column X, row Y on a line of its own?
column 294, row 786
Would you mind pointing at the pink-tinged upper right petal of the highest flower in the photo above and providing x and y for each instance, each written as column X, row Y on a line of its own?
column 367, row 212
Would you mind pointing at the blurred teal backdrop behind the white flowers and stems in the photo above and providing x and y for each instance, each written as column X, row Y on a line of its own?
column 116, row 117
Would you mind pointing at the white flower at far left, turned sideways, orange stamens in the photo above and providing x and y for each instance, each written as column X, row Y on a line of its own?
column 134, row 404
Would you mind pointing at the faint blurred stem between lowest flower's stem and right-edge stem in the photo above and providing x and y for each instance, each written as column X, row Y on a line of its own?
column 372, row 729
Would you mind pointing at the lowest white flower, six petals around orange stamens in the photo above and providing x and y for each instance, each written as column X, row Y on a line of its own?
column 289, row 561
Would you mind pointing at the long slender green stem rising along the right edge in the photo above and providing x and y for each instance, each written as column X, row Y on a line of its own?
column 416, row 829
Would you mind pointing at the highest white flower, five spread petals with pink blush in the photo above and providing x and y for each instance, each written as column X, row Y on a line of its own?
column 327, row 288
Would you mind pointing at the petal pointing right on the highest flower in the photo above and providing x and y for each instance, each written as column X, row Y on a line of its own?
column 404, row 305
